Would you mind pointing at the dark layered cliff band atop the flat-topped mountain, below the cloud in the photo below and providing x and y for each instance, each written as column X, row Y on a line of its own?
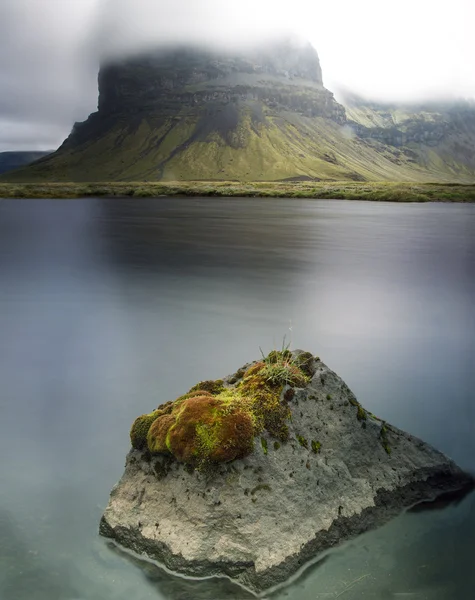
column 285, row 74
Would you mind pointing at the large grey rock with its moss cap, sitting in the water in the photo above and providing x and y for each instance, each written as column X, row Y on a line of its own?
column 321, row 470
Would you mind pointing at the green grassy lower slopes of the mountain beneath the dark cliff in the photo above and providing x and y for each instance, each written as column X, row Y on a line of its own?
column 282, row 145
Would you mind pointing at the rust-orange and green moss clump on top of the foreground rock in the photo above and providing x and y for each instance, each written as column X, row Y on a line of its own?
column 215, row 423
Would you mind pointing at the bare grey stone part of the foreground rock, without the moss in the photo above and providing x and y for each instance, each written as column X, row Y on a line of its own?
column 259, row 519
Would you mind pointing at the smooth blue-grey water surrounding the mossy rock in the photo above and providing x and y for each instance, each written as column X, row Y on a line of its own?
column 109, row 307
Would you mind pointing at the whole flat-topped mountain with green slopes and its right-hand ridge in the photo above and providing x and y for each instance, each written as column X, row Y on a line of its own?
column 255, row 115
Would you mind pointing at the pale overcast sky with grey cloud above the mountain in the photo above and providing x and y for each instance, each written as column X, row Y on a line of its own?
column 50, row 50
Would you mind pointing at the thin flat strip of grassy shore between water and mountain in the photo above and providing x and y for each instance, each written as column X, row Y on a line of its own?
column 375, row 191
